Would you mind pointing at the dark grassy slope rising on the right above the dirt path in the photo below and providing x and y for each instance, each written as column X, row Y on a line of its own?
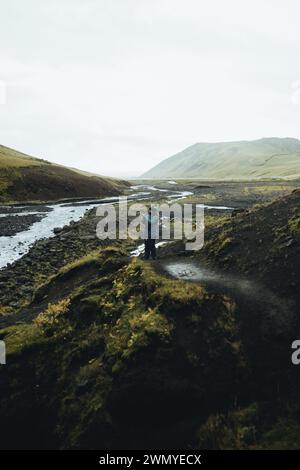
column 263, row 242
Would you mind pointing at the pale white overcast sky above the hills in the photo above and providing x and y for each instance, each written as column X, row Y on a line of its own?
column 115, row 86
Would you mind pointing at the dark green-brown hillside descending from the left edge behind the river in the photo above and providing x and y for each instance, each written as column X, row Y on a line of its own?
column 25, row 178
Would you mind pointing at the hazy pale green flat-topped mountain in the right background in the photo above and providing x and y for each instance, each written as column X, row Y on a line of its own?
column 263, row 158
